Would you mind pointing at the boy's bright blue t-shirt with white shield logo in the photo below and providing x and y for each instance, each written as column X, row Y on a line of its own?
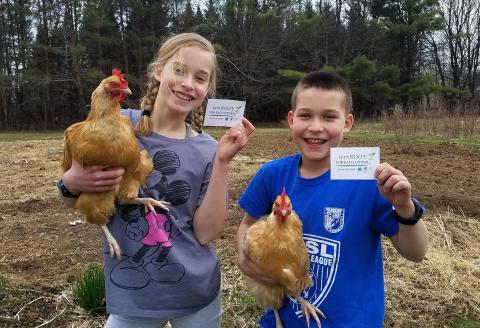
column 343, row 221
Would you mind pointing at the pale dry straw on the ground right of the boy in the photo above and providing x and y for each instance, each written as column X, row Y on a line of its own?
column 445, row 285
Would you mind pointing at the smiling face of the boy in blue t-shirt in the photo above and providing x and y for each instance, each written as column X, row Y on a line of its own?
column 317, row 124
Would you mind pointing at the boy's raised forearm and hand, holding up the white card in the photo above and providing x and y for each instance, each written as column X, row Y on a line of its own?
column 411, row 241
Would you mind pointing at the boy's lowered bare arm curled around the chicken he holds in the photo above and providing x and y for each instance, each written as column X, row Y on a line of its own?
column 244, row 262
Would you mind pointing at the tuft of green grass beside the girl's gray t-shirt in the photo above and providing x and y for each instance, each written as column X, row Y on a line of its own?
column 89, row 290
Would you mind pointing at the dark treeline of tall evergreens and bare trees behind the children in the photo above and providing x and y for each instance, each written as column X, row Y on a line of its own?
column 53, row 53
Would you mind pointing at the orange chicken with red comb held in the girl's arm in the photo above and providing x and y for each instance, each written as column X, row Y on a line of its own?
column 107, row 138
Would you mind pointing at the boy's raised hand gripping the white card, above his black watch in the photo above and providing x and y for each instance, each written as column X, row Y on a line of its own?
column 395, row 187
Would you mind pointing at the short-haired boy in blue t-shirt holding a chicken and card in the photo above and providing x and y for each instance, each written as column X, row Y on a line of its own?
column 343, row 220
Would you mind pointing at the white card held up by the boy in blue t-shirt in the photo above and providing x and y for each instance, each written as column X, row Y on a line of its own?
column 354, row 163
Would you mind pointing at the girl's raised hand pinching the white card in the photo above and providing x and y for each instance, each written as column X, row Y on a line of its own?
column 234, row 140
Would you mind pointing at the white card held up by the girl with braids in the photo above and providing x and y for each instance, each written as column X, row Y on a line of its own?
column 223, row 112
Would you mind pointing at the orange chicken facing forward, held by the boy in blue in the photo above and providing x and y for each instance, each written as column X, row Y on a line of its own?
column 275, row 244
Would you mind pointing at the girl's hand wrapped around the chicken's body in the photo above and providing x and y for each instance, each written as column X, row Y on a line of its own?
column 91, row 178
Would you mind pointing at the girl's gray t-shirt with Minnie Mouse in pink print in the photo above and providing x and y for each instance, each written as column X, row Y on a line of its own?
column 164, row 271
